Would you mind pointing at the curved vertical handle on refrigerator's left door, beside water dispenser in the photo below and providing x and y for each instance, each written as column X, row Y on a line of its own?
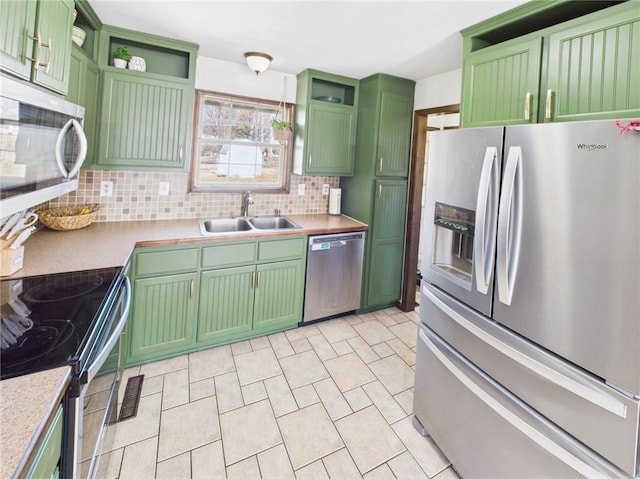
column 486, row 208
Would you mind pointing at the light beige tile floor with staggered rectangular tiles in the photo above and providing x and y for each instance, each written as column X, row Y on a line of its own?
column 328, row 400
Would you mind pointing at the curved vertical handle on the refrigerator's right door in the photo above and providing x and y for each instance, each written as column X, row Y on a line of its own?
column 509, row 226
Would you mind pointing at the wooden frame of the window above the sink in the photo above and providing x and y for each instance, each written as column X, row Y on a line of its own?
column 288, row 114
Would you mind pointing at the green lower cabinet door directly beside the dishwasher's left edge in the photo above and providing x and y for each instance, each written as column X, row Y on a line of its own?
column 278, row 295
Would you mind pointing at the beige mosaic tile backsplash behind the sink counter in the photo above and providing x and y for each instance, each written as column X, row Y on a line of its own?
column 135, row 197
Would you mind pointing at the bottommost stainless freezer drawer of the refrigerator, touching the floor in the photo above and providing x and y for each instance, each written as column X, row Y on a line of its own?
column 487, row 432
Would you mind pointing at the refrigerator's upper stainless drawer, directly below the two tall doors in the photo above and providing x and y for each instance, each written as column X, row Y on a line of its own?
column 602, row 418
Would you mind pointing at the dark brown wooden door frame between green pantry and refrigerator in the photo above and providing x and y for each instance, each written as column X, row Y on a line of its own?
column 414, row 208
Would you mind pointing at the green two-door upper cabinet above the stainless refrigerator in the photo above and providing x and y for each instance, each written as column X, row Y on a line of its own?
column 573, row 61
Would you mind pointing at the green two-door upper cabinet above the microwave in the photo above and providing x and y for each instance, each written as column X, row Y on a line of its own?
column 35, row 41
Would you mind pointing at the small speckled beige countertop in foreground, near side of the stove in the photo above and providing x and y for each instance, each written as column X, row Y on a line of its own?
column 27, row 404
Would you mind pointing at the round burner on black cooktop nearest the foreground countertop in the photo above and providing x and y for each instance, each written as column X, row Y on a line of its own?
column 40, row 340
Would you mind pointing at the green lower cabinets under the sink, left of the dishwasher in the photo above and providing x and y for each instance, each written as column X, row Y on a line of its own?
column 190, row 298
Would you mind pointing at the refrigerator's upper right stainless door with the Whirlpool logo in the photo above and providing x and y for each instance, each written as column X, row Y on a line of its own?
column 568, row 261
